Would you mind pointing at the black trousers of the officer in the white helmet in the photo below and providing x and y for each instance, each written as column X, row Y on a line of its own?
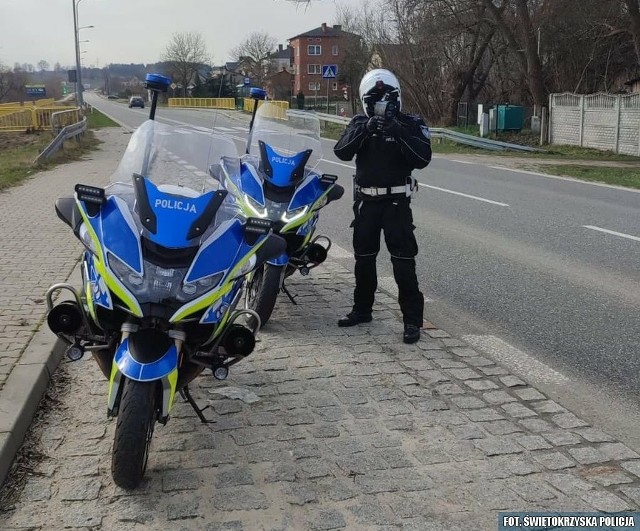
column 393, row 217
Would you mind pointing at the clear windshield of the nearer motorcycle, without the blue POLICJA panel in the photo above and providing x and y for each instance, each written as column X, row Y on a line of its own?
column 175, row 158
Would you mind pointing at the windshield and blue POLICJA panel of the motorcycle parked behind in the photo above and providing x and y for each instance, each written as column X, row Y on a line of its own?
column 282, row 138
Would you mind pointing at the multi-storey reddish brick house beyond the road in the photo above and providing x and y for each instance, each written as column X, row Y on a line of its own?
column 312, row 50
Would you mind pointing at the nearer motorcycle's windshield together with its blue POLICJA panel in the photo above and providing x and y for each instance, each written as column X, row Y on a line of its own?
column 163, row 177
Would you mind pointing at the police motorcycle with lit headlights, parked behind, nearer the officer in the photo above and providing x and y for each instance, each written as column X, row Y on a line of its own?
column 278, row 182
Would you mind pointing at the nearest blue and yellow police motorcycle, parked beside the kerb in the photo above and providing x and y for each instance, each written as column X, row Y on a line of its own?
column 165, row 260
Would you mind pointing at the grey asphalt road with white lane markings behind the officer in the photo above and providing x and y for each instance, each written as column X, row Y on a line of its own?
column 545, row 267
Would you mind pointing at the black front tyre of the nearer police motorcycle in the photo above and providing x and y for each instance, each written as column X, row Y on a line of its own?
column 136, row 419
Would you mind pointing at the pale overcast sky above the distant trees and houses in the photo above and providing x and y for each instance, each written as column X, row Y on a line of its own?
column 138, row 31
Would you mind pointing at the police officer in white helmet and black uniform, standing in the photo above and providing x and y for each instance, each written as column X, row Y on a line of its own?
column 388, row 145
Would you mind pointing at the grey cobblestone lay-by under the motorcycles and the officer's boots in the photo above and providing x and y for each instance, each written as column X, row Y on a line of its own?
column 348, row 429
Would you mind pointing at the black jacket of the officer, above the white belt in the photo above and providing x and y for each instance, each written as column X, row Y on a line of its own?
column 385, row 158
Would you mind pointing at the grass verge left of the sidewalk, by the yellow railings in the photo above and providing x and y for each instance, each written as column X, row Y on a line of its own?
column 19, row 150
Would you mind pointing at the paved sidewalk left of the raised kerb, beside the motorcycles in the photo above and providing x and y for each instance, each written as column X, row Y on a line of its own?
column 37, row 248
